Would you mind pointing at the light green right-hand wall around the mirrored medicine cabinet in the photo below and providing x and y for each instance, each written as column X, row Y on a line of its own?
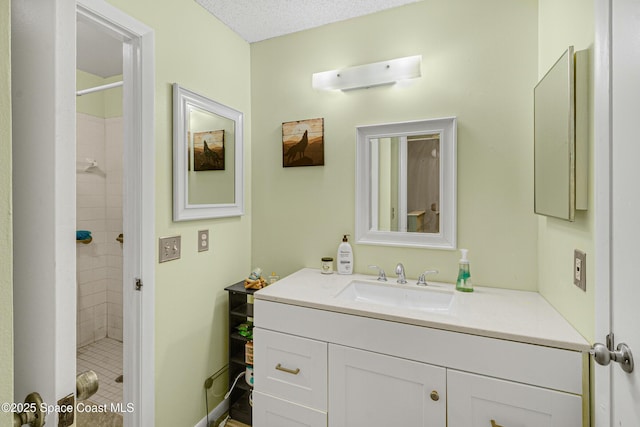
column 569, row 22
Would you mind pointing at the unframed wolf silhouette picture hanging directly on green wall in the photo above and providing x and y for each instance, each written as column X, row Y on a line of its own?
column 303, row 143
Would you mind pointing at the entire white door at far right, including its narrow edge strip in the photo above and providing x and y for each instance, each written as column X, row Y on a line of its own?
column 617, row 205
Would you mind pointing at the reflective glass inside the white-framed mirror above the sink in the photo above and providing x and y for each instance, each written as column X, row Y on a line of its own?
column 408, row 183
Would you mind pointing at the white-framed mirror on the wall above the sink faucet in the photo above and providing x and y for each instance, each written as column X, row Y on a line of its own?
column 406, row 184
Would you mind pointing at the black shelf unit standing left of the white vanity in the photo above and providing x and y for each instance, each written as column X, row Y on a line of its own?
column 240, row 310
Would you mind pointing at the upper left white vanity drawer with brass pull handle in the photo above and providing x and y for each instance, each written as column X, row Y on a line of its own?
column 291, row 368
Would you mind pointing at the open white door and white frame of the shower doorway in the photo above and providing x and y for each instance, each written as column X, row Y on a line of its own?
column 43, row 93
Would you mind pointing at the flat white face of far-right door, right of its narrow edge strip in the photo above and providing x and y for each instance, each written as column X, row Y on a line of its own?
column 625, row 207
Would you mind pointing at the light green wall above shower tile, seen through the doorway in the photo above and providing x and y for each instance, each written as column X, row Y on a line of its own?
column 106, row 103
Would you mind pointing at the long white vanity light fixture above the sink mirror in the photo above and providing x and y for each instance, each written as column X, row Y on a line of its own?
column 369, row 75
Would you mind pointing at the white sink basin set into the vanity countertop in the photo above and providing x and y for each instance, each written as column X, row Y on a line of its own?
column 401, row 296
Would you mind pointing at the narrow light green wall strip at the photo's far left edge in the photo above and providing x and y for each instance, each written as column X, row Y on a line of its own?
column 6, row 230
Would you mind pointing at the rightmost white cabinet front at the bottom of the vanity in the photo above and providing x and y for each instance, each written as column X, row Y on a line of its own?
column 477, row 401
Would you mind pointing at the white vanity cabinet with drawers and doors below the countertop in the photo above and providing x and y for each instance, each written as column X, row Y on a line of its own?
column 343, row 370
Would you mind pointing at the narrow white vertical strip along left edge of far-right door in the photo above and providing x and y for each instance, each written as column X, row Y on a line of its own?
column 602, row 180
